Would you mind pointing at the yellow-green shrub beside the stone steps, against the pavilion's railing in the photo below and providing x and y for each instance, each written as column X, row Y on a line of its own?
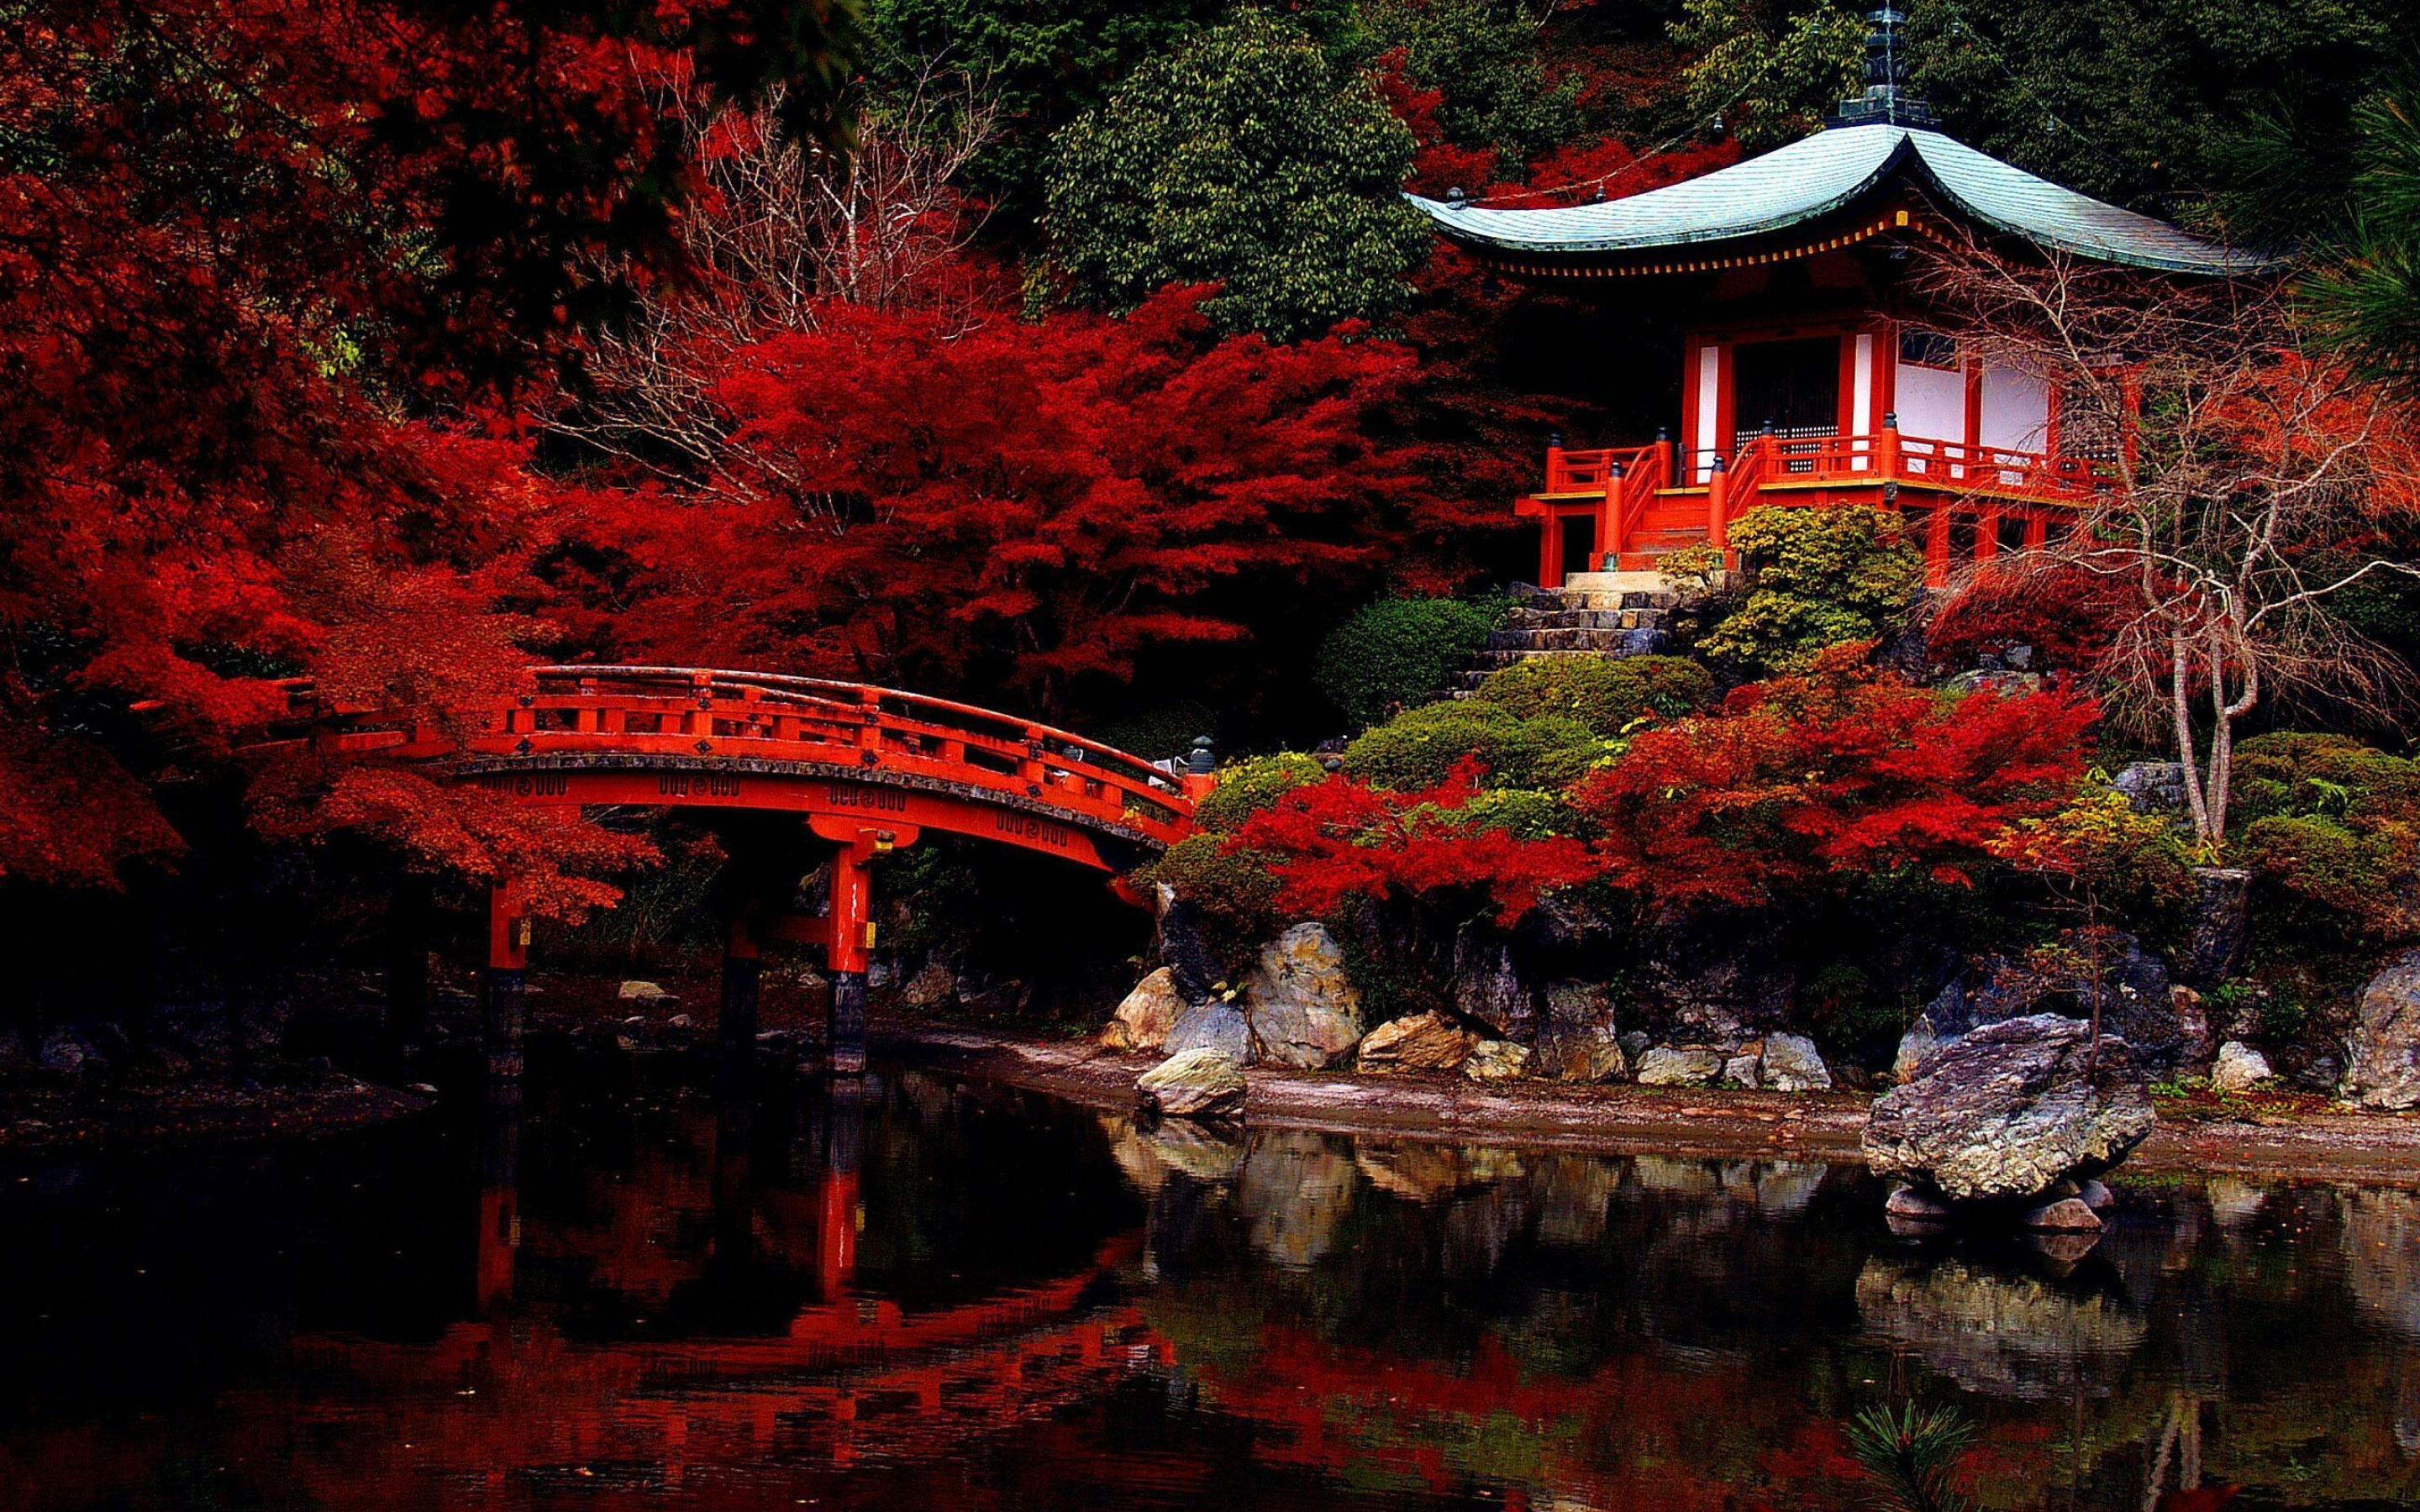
column 1816, row 577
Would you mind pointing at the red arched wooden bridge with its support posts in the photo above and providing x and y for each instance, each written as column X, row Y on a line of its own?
column 868, row 768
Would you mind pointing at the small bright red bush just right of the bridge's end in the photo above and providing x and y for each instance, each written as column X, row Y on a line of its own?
column 1344, row 838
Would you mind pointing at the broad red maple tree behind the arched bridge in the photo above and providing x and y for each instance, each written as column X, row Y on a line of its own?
column 1020, row 509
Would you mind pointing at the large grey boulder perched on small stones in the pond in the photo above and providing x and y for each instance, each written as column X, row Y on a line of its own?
column 2010, row 1112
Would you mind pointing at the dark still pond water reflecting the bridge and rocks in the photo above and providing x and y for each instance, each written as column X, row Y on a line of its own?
column 947, row 1295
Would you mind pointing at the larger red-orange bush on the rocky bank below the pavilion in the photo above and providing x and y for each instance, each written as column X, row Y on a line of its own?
column 1843, row 771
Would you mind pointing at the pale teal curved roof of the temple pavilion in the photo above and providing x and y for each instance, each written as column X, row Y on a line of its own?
column 1833, row 171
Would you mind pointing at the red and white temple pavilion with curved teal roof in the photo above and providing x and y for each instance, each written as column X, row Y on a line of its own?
column 1807, row 374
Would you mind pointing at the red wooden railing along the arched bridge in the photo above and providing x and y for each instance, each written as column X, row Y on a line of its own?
column 701, row 712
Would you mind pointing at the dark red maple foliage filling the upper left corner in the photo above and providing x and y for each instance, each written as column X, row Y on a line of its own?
column 241, row 250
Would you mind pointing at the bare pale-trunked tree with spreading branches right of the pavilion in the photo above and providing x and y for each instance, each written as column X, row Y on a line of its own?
column 2249, row 483
